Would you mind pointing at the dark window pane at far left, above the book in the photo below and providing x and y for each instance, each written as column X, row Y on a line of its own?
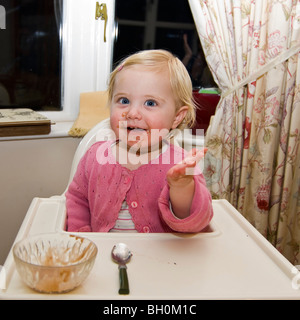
column 30, row 55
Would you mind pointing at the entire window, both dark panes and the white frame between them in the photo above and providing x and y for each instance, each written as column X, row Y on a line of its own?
column 53, row 50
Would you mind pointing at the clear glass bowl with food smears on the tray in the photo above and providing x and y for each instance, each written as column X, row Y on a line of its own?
column 54, row 263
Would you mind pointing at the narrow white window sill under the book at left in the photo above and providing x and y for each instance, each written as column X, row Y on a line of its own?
column 59, row 129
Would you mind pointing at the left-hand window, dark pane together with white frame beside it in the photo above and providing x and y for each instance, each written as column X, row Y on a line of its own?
column 51, row 51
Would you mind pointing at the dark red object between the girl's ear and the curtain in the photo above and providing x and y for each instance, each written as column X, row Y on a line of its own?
column 207, row 104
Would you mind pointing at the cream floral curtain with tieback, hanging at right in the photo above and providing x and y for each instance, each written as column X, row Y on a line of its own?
column 253, row 50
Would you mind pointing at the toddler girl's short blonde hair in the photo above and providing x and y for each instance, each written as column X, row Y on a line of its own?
column 179, row 78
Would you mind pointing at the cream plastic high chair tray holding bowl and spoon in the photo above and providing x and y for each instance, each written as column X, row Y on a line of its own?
column 230, row 260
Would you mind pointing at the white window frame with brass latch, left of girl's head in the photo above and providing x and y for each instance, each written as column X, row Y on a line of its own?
column 86, row 58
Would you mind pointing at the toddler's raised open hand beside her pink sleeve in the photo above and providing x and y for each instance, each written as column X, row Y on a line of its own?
column 181, row 174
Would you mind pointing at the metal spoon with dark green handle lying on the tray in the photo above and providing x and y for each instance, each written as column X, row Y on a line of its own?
column 121, row 255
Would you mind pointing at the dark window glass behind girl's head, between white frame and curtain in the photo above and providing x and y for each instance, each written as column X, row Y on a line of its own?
column 161, row 24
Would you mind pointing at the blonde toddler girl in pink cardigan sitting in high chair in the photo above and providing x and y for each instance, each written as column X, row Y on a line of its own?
column 137, row 183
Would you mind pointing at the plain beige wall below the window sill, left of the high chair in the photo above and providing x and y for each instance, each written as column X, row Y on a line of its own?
column 28, row 169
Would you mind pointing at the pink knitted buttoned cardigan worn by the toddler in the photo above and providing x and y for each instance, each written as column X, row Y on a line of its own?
column 100, row 185
